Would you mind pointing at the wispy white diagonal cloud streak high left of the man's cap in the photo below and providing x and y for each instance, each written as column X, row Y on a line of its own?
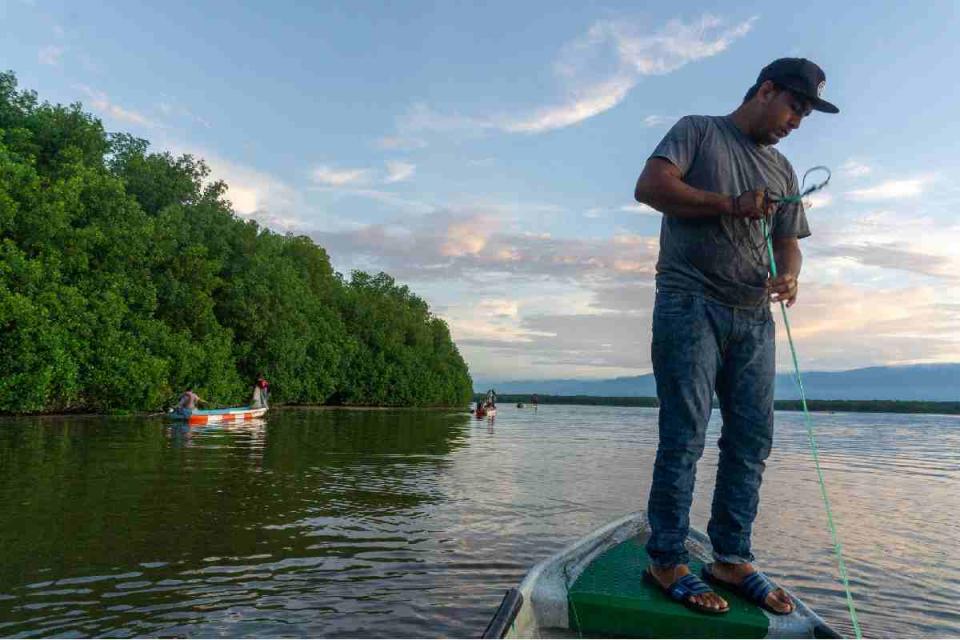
column 598, row 71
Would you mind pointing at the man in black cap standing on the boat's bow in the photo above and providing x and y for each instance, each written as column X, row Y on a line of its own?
column 713, row 178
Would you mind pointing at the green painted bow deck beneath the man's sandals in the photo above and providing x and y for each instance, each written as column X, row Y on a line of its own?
column 610, row 598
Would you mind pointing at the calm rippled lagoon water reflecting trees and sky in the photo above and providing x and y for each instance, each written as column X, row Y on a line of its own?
column 346, row 523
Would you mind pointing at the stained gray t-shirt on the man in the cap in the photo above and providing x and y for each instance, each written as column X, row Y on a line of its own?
column 723, row 258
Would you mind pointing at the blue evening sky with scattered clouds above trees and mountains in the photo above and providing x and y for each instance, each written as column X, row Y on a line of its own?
column 485, row 154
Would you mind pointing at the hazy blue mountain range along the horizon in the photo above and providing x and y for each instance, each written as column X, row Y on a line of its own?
column 932, row 382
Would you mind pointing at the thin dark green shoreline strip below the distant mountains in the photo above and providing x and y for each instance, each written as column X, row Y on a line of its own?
column 851, row 406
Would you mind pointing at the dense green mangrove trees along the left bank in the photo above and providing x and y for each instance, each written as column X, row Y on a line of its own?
column 125, row 276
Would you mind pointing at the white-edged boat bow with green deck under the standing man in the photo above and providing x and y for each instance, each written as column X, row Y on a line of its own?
column 595, row 589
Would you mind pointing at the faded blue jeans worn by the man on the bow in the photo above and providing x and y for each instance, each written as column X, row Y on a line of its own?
column 701, row 346
